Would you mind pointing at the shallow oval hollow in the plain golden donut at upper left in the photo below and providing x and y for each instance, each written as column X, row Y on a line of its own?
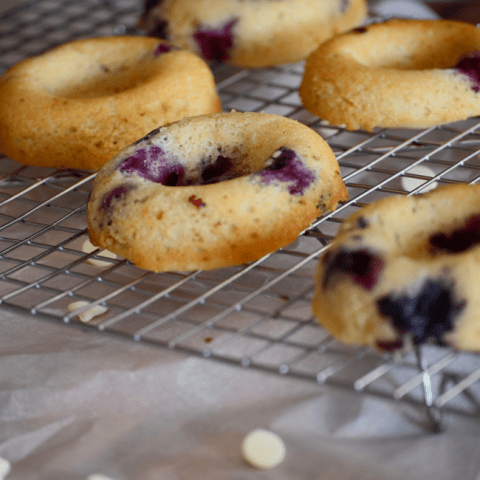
column 88, row 71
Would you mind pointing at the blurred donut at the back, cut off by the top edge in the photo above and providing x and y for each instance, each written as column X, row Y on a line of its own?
column 250, row 33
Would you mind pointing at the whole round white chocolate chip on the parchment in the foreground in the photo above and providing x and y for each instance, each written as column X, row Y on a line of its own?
column 263, row 449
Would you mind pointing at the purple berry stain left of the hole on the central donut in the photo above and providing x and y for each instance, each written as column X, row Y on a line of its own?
column 153, row 165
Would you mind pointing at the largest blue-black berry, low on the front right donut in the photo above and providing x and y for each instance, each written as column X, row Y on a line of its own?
column 429, row 314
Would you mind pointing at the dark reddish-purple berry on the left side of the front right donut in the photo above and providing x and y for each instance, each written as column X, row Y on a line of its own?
column 361, row 265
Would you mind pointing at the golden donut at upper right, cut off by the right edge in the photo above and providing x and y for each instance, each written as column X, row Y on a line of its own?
column 400, row 73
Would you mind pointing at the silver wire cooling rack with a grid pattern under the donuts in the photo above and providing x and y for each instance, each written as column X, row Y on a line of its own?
column 257, row 315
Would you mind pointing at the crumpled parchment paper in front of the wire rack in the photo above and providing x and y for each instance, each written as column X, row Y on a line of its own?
column 73, row 403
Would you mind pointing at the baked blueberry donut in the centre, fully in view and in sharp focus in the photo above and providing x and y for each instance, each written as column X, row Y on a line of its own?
column 212, row 191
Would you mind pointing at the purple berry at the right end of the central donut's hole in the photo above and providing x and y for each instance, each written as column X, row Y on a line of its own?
column 287, row 167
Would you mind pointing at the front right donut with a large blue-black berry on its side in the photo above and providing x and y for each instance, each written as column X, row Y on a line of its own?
column 405, row 268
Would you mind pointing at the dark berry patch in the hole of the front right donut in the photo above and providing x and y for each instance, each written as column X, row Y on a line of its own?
column 459, row 240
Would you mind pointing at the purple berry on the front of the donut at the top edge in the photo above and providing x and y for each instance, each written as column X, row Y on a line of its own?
column 215, row 44
